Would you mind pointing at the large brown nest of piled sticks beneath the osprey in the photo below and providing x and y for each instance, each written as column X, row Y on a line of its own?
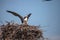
column 20, row 32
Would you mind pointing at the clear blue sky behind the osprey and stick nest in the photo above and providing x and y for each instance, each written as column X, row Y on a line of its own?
column 44, row 13
